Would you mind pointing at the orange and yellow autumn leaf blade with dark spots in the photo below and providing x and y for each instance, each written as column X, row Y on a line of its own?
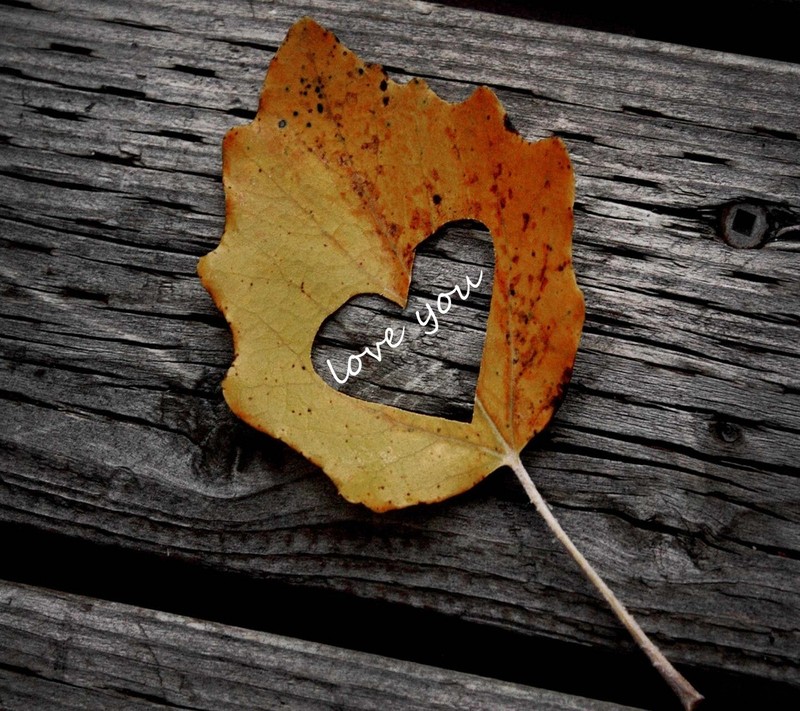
column 340, row 176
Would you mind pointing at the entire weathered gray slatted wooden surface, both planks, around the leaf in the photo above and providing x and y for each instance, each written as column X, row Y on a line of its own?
column 155, row 549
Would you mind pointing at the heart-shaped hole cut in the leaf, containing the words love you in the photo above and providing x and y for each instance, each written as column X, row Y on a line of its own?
column 429, row 361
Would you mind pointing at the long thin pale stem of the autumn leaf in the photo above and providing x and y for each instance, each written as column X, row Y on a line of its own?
column 688, row 695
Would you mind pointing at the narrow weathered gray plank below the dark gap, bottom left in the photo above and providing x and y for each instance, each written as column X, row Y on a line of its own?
column 61, row 651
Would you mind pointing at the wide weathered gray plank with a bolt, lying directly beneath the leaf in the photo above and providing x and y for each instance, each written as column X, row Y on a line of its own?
column 674, row 460
